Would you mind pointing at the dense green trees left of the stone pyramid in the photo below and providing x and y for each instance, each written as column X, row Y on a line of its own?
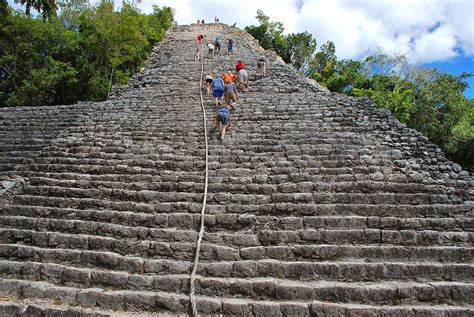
column 70, row 57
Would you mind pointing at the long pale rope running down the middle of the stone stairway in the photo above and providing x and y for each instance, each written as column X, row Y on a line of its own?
column 192, row 297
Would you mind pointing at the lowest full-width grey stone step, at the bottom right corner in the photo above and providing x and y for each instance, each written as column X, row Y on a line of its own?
column 146, row 302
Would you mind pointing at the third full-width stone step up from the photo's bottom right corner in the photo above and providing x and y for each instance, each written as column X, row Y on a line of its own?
column 346, row 271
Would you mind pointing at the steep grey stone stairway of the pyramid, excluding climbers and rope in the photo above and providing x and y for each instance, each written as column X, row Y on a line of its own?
column 319, row 204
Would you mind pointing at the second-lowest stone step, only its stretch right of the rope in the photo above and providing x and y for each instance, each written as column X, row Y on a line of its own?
column 386, row 293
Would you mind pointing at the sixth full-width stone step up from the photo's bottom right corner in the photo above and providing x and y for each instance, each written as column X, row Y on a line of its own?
column 238, row 222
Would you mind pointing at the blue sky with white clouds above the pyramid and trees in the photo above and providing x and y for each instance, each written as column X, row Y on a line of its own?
column 432, row 33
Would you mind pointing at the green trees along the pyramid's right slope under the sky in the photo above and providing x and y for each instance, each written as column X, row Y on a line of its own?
column 428, row 100
